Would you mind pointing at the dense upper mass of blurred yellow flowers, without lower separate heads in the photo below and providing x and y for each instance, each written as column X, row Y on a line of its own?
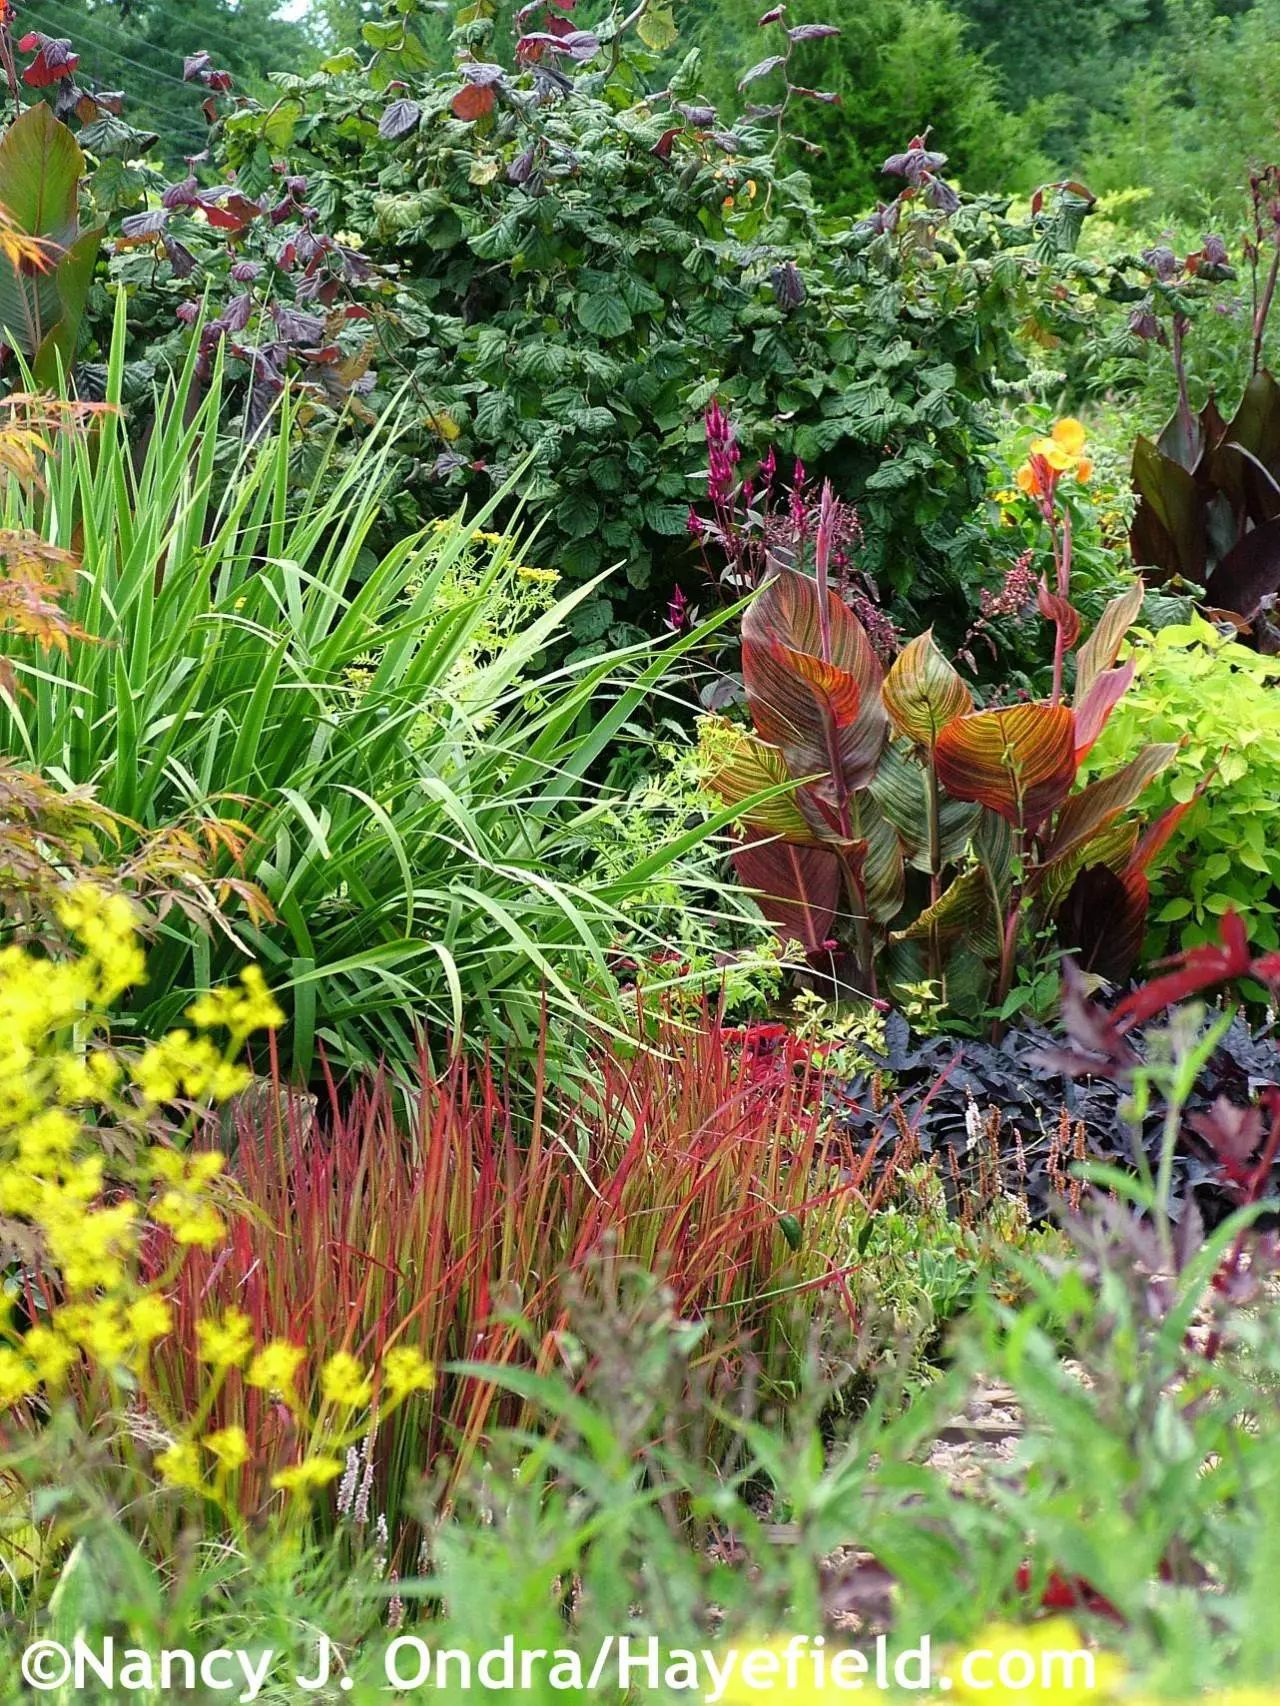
column 54, row 1067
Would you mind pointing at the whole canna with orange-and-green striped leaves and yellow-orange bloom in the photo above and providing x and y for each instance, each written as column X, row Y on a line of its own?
column 919, row 821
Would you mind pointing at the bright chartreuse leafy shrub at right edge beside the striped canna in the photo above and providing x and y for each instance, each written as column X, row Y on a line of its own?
column 1223, row 704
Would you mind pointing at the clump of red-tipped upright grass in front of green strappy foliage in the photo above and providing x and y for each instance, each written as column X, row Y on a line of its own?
column 706, row 1158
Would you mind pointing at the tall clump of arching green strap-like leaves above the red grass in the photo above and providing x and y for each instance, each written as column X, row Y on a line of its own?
column 407, row 798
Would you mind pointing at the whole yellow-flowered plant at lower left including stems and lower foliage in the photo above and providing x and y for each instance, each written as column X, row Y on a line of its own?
column 81, row 1323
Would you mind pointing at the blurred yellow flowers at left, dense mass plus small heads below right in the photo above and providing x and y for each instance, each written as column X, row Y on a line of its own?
column 88, row 1221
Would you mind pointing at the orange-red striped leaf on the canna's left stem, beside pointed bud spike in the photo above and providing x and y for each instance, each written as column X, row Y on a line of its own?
column 820, row 716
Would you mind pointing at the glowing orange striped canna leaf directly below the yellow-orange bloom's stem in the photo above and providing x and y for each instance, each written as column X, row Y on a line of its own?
column 1018, row 762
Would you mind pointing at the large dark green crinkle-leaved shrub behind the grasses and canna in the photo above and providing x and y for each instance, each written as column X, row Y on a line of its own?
column 554, row 265
